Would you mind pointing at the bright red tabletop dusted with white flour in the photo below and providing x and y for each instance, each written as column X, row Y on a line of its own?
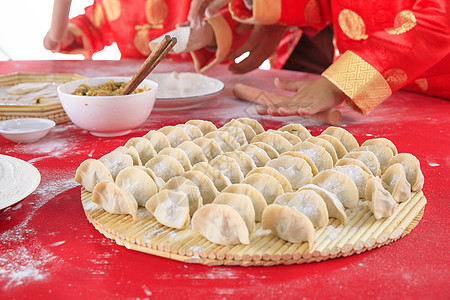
column 49, row 249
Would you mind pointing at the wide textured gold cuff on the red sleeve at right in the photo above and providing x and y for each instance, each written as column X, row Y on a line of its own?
column 361, row 82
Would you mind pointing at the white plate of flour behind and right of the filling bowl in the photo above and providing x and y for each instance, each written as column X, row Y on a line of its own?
column 184, row 90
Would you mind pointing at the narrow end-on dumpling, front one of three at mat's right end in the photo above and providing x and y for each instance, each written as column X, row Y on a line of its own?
column 382, row 204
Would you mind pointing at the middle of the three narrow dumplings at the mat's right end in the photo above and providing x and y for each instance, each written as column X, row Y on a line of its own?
column 395, row 180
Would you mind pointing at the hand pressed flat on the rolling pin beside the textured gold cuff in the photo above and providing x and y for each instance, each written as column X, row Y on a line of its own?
column 310, row 98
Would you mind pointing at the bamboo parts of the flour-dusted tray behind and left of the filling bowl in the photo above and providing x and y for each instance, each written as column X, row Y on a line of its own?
column 53, row 111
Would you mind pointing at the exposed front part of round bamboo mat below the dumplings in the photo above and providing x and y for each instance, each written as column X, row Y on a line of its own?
column 362, row 233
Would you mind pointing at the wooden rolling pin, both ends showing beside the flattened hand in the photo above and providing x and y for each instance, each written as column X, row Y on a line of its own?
column 258, row 96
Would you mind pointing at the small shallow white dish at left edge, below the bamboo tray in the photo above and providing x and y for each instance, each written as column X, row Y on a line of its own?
column 25, row 130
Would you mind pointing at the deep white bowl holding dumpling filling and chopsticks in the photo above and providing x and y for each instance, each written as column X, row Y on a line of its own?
column 107, row 115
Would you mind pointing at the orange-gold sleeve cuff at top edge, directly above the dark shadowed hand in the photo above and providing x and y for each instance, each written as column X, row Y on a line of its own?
column 265, row 12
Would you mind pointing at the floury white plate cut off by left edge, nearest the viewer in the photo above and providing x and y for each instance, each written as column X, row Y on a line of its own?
column 18, row 179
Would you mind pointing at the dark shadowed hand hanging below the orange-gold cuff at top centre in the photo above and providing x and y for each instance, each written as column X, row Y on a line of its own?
column 261, row 43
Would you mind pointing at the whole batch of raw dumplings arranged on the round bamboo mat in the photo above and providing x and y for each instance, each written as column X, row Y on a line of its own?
column 222, row 181
